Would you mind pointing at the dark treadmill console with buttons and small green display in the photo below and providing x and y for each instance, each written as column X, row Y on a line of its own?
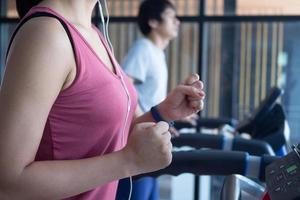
column 283, row 177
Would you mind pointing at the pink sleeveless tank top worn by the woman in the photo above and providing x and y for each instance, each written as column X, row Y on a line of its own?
column 87, row 118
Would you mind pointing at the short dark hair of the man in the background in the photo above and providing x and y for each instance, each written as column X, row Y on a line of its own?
column 151, row 9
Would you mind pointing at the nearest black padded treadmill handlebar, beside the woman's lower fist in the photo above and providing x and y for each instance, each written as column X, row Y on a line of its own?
column 213, row 162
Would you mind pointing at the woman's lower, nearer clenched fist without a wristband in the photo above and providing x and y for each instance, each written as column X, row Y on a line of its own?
column 149, row 147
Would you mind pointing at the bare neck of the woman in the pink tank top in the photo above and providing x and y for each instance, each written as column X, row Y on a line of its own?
column 78, row 12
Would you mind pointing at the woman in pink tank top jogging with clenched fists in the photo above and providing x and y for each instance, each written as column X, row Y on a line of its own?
column 67, row 122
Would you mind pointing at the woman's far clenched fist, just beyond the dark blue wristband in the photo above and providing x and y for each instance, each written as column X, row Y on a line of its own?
column 185, row 100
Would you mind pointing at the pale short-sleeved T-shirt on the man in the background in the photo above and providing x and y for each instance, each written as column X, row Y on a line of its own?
column 146, row 64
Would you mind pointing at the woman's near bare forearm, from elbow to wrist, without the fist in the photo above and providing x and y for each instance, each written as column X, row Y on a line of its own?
column 61, row 179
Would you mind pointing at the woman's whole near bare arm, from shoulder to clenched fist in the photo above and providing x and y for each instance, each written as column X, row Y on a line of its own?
column 38, row 68
